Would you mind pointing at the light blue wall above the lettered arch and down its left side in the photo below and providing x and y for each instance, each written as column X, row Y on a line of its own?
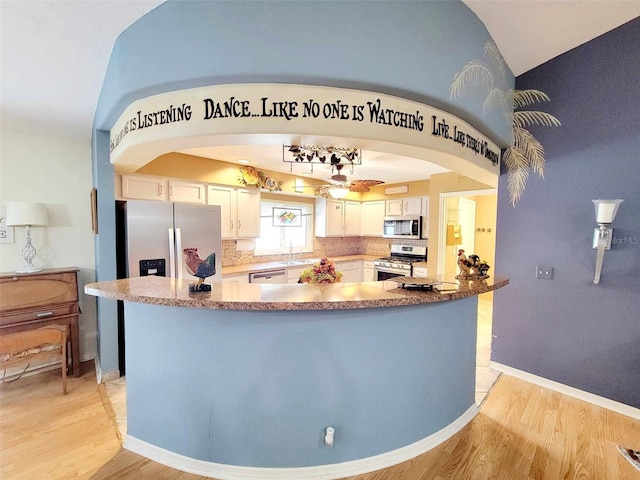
column 411, row 49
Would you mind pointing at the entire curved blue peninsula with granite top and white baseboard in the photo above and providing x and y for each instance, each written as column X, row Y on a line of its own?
column 242, row 381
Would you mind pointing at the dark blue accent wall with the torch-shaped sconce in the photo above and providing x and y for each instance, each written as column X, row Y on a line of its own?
column 567, row 329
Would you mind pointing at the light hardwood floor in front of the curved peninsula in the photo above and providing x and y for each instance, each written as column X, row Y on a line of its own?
column 523, row 431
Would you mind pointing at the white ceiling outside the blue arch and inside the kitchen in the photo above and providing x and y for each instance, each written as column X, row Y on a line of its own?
column 54, row 54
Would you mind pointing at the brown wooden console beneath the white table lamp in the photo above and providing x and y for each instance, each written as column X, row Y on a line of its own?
column 34, row 300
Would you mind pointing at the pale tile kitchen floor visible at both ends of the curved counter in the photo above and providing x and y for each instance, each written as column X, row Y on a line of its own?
column 485, row 376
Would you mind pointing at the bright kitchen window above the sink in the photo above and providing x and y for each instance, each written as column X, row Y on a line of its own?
column 276, row 239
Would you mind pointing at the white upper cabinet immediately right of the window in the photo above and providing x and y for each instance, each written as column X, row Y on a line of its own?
column 337, row 218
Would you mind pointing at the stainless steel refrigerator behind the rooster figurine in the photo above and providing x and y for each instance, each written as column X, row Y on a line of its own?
column 157, row 234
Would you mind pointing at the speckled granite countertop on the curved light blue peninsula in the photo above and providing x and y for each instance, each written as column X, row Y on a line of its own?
column 169, row 292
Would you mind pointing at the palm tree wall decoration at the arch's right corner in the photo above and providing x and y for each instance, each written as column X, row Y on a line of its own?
column 526, row 153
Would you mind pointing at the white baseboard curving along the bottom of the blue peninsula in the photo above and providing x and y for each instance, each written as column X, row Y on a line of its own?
column 320, row 472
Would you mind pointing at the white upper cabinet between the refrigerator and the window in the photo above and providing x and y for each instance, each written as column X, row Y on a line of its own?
column 240, row 210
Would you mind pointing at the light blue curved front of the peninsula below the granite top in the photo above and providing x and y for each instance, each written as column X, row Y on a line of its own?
column 257, row 388
